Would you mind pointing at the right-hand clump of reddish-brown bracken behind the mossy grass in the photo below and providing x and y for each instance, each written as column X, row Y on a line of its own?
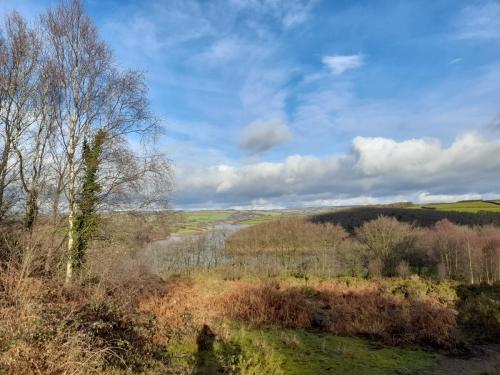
column 395, row 320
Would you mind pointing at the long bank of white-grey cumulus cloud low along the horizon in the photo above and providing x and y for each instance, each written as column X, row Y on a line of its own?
column 374, row 170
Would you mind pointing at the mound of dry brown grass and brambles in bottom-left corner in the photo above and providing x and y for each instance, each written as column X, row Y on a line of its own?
column 48, row 328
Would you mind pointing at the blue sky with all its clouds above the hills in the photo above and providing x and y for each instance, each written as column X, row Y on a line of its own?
column 299, row 103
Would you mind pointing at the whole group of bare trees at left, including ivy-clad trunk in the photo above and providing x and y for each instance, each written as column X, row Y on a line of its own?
column 77, row 131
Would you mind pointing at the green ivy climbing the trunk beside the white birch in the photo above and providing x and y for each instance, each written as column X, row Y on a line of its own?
column 88, row 200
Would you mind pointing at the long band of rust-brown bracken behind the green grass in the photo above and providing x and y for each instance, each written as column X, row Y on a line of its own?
column 366, row 310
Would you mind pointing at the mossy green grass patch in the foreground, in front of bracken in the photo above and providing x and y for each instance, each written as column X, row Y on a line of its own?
column 296, row 352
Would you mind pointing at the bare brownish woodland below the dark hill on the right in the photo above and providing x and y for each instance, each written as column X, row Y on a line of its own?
column 383, row 246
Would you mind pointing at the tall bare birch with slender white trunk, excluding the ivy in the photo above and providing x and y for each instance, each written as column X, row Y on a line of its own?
column 94, row 95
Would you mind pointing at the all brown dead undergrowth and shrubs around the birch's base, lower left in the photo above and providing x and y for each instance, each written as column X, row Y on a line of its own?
column 91, row 326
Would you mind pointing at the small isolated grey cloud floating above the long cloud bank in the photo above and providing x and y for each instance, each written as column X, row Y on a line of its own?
column 262, row 136
